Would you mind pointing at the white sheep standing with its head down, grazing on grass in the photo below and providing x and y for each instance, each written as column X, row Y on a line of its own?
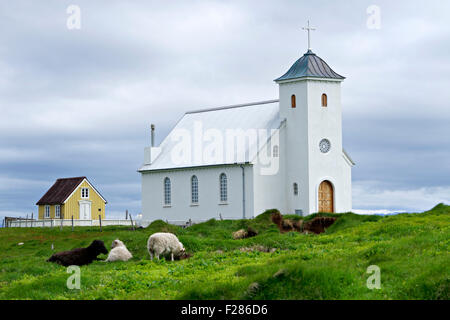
column 162, row 243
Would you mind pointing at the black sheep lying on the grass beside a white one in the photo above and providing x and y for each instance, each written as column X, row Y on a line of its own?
column 79, row 256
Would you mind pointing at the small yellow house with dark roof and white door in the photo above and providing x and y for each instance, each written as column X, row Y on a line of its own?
column 69, row 197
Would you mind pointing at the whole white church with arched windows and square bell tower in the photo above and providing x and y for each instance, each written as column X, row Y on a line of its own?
column 237, row 161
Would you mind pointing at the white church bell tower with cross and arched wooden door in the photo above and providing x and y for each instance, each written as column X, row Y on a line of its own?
column 318, row 171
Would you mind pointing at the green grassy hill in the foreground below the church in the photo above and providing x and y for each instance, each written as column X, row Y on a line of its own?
column 412, row 251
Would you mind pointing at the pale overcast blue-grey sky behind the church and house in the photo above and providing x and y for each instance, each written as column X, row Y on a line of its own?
column 79, row 102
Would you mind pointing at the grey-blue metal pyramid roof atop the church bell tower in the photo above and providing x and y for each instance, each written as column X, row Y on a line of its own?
column 310, row 65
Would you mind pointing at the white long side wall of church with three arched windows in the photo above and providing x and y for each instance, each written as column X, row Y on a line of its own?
column 209, row 206
